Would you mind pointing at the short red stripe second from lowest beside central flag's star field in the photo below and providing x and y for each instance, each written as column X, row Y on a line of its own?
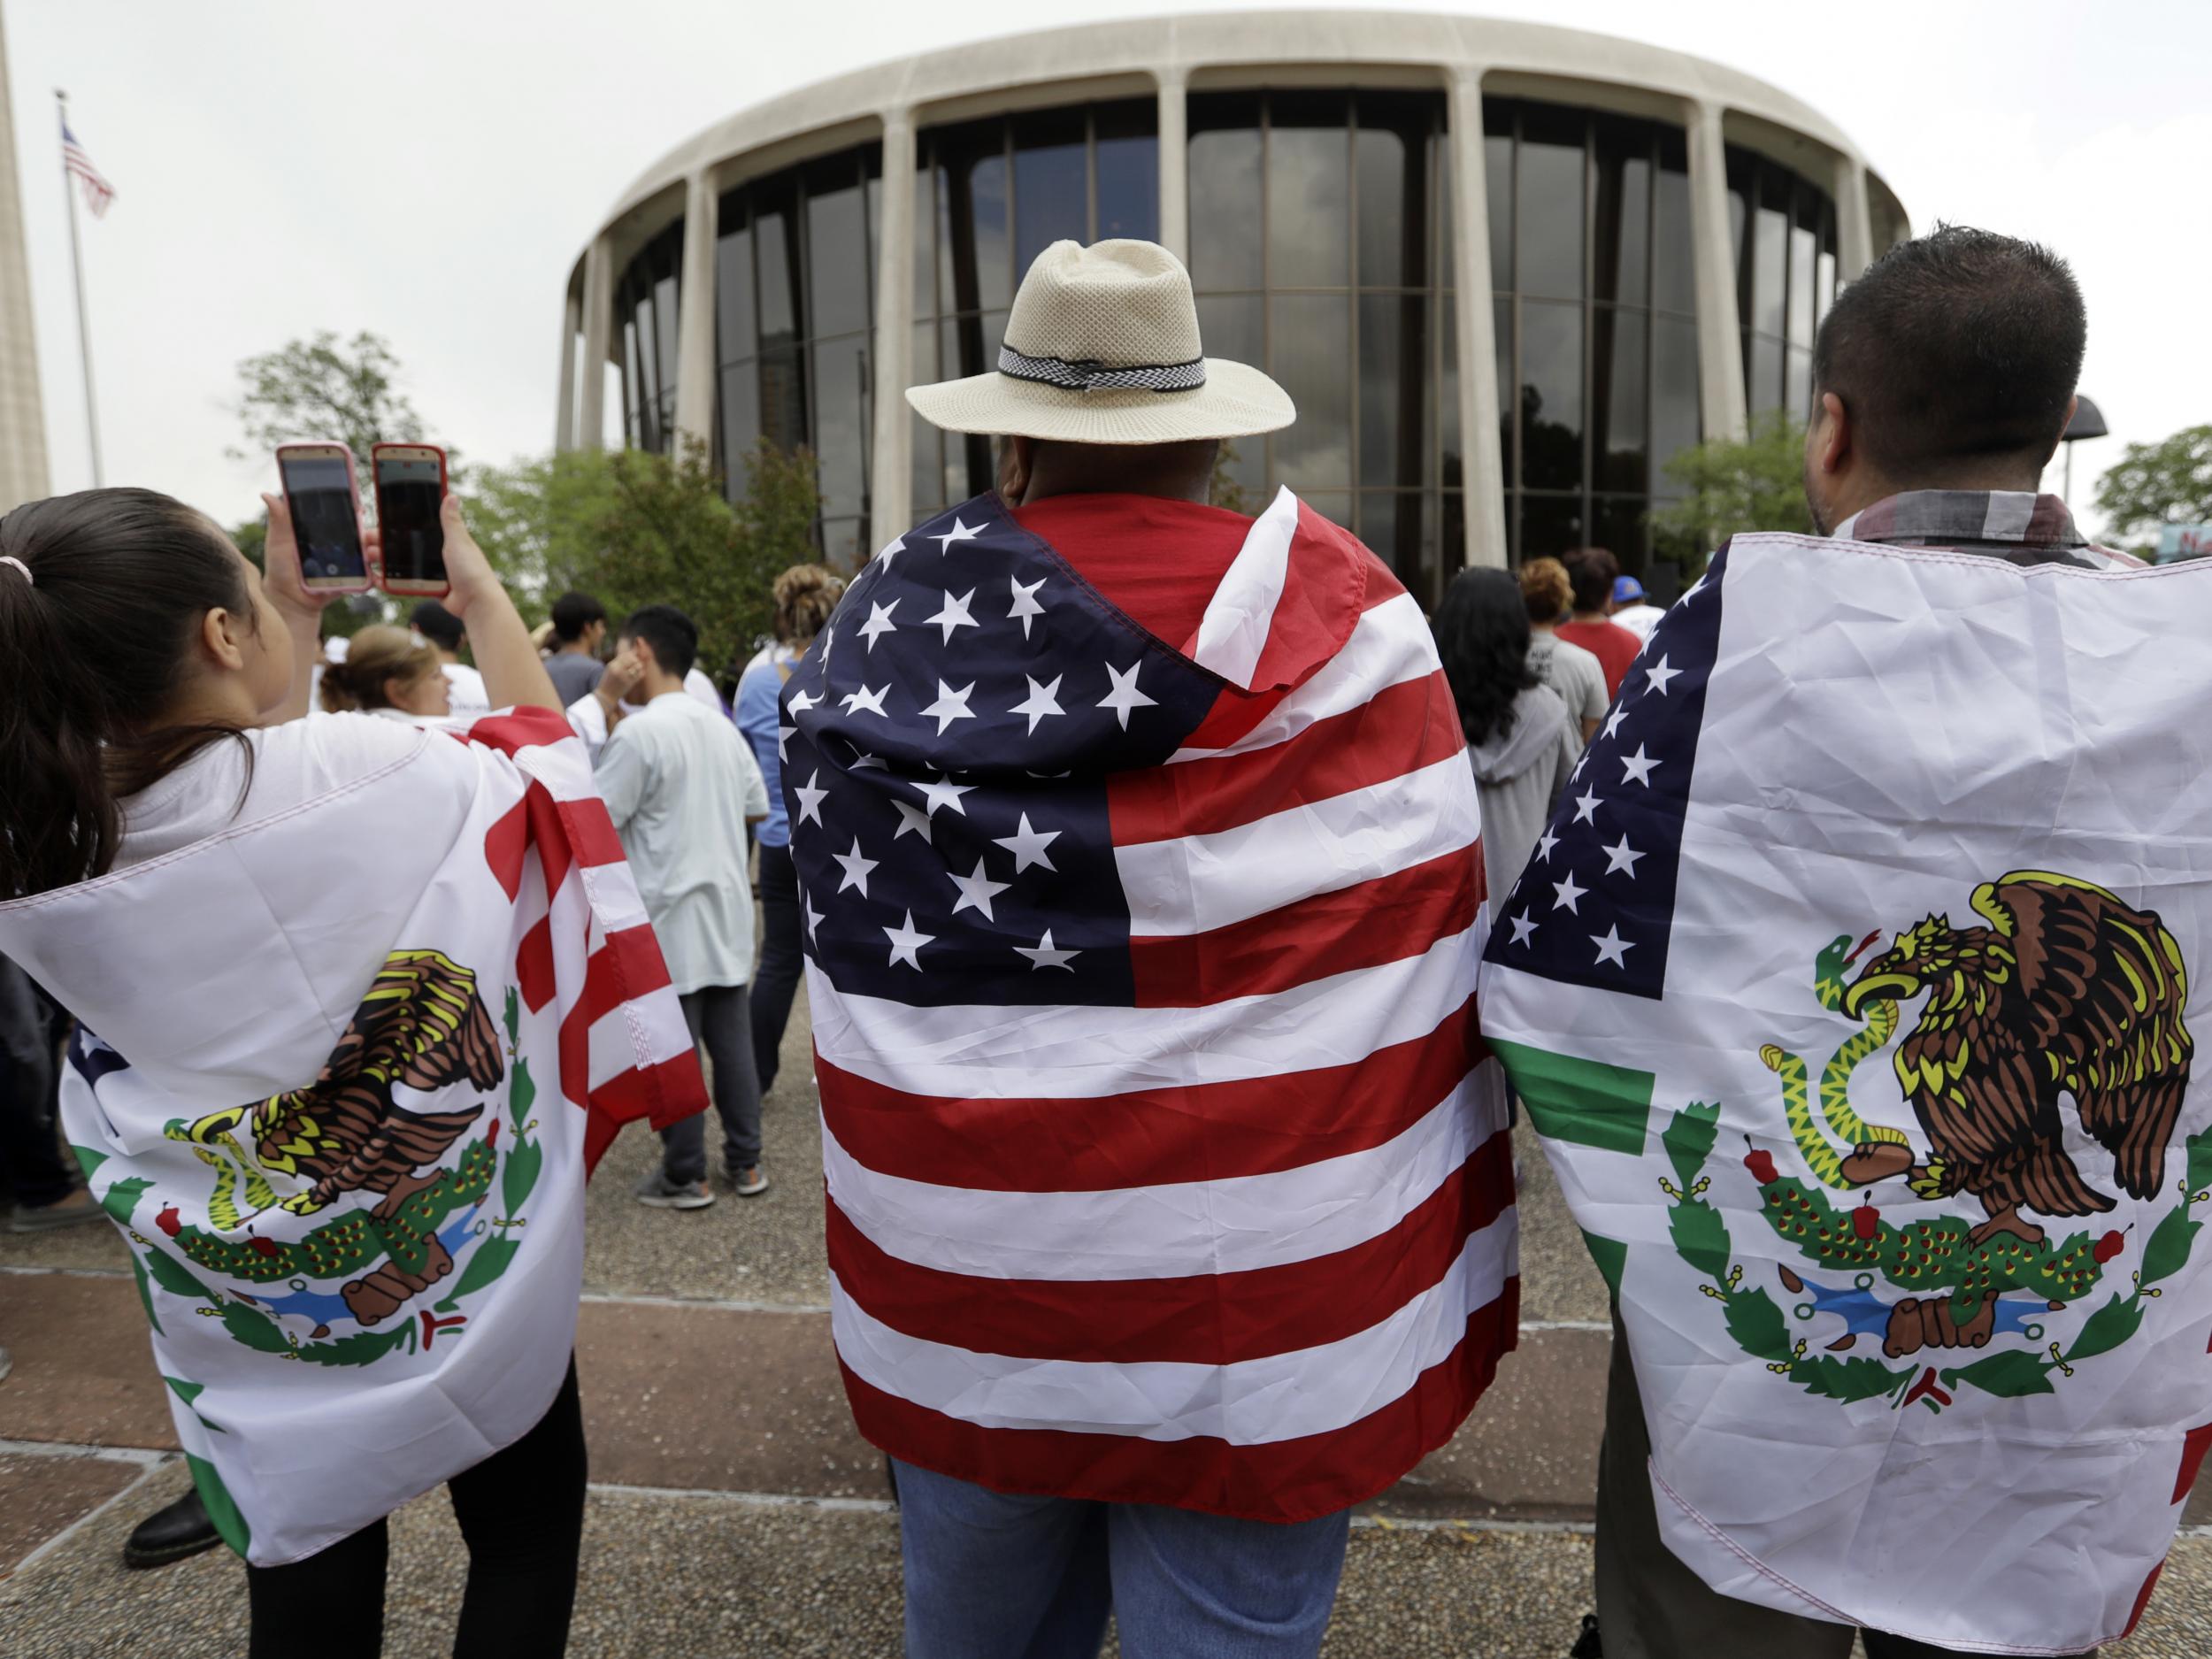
column 1399, row 731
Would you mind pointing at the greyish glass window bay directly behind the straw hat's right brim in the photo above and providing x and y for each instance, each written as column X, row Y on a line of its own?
column 1322, row 251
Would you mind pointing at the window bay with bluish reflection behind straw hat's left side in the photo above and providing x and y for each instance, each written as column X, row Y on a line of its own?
column 988, row 200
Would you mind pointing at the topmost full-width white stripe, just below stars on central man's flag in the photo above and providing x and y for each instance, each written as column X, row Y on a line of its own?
column 972, row 1052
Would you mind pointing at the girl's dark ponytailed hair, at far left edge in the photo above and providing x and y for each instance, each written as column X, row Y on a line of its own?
column 92, row 649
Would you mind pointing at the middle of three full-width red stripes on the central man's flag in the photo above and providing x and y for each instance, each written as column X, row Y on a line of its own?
column 1200, row 1319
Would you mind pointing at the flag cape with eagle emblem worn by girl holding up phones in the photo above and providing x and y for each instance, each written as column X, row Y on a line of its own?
column 340, row 1081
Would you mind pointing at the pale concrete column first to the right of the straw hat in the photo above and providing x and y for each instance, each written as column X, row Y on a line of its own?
column 1481, row 459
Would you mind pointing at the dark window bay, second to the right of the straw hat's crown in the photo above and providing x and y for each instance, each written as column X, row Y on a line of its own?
column 1596, row 324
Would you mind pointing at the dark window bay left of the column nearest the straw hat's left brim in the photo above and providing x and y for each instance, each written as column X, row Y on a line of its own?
column 795, row 309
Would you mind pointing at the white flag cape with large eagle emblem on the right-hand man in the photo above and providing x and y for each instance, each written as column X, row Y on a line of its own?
column 1855, row 994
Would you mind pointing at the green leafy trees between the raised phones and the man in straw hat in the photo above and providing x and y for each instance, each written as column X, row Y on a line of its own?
column 634, row 528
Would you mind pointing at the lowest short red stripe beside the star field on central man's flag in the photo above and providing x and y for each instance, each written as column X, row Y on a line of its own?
column 1377, row 921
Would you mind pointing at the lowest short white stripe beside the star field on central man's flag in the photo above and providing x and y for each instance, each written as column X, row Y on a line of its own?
column 1200, row 884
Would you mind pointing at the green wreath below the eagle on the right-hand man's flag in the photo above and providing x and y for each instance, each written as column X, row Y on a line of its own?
column 1828, row 1235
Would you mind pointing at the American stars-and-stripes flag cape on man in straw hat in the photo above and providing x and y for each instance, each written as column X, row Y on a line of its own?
column 1162, row 1160
